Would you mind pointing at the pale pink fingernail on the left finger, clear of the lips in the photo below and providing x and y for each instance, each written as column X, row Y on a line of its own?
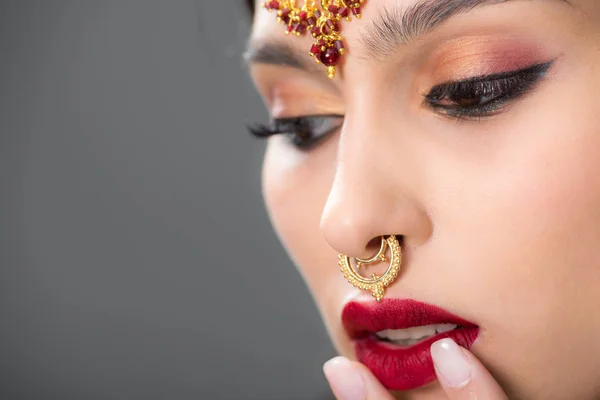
column 345, row 380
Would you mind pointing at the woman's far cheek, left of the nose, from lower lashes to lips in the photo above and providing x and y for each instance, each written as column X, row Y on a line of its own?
column 296, row 186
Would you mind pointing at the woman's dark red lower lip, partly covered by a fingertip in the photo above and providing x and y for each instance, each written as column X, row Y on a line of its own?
column 407, row 368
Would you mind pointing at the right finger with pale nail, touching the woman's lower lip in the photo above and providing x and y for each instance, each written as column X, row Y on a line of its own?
column 461, row 375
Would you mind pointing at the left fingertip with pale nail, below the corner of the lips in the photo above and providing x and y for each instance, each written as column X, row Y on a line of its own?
column 353, row 381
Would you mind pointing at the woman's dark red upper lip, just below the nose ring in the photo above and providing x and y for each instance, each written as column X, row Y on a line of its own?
column 362, row 319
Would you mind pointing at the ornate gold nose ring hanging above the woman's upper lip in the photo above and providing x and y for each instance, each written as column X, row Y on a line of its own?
column 376, row 284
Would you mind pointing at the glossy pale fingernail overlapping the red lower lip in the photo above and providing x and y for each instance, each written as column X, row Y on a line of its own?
column 450, row 363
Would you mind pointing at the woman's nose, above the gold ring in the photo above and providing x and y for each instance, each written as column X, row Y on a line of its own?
column 376, row 190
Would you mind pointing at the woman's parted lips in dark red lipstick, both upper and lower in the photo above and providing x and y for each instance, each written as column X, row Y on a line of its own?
column 401, row 368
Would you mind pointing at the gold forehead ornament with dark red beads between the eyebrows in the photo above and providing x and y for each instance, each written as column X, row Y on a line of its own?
column 323, row 23
